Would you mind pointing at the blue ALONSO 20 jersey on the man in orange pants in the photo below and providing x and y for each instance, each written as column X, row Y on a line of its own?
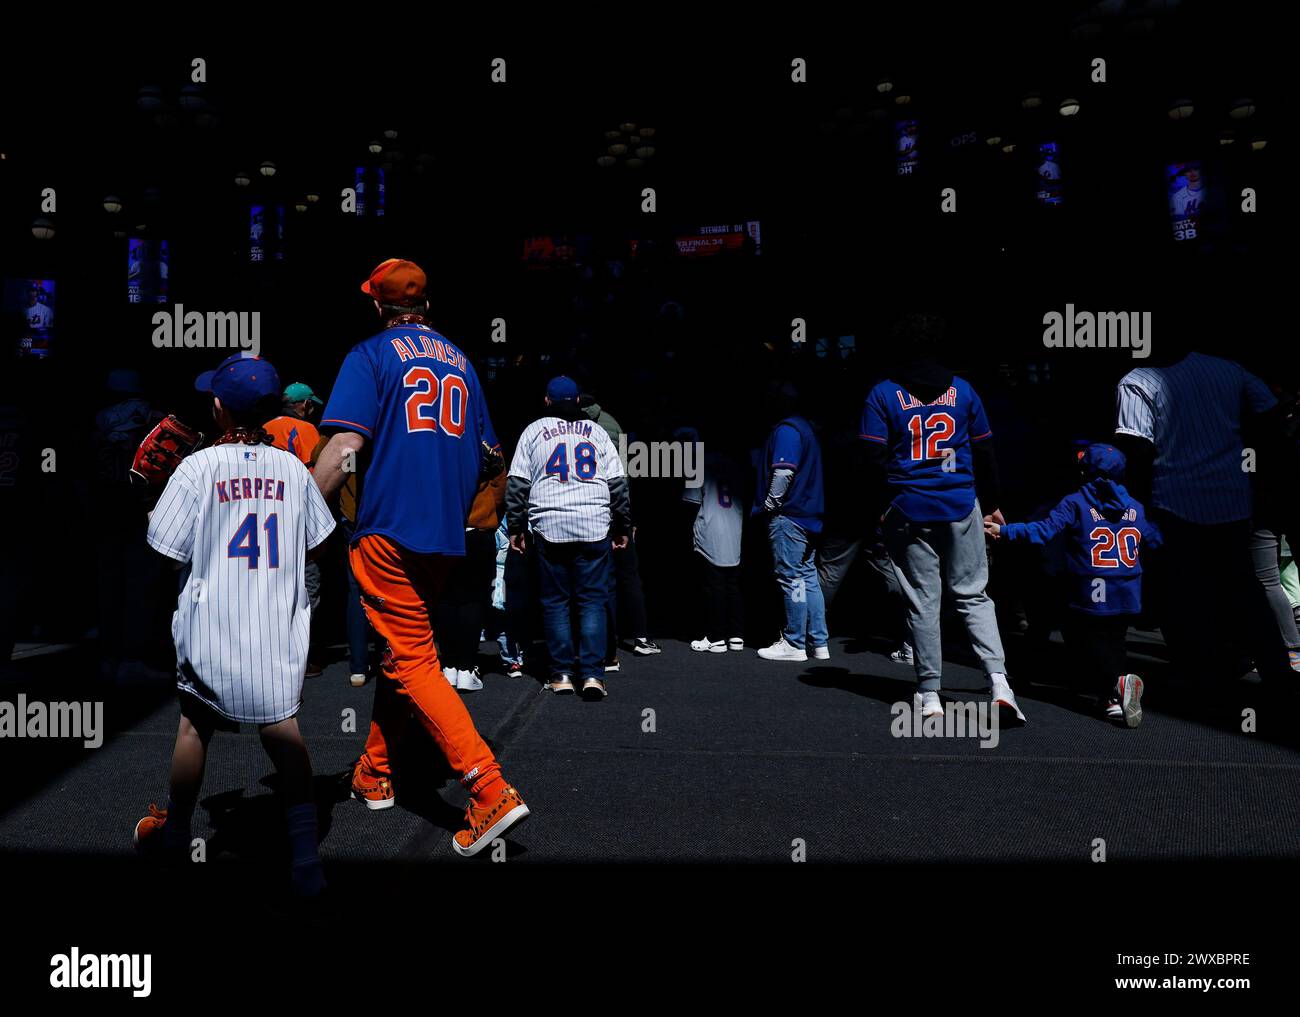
column 418, row 401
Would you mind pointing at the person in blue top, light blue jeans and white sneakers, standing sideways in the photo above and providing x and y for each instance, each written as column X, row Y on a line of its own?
column 790, row 494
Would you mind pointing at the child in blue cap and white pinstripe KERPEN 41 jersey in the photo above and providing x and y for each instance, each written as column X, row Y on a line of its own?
column 241, row 518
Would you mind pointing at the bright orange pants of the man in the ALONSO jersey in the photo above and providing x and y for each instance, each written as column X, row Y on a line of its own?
column 400, row 590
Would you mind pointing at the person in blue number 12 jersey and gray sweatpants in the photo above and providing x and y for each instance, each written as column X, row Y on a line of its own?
column 930, row 439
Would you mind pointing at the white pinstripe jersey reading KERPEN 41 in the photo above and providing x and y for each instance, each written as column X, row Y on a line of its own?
column 242, row 517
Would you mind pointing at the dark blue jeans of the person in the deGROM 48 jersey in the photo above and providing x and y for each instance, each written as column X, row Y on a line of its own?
column 578, row 574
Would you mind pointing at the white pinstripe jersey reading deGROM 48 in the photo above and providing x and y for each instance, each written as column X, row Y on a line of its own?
column 569, row 465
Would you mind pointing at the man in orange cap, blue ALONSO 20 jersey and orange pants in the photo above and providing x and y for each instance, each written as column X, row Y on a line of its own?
column 411, row 400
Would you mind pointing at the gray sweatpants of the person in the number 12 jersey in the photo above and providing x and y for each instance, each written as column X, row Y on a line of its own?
column 930, row 559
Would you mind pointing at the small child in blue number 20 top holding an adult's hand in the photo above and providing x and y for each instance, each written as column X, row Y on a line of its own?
column 1106, row 530
